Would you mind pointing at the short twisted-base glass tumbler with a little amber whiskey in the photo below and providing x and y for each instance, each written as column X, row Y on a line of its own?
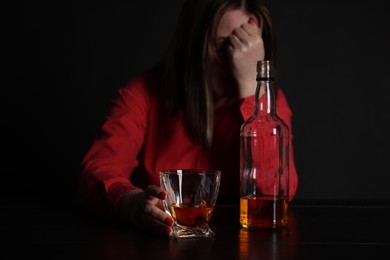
column 191, row 199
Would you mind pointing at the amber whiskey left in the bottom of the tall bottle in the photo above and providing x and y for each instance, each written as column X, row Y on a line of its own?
column 263, row 212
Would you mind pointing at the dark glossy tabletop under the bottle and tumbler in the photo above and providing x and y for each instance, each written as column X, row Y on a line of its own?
column 315, row 231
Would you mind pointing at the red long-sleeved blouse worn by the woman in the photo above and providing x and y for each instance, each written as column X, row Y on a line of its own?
column 137, row 140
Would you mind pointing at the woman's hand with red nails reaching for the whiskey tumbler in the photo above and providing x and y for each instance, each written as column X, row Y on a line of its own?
column 144, row 210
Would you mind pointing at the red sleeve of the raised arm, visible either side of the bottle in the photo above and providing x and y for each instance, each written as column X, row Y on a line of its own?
column 284, row 112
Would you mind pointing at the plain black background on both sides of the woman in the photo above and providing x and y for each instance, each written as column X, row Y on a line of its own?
column 63, row 62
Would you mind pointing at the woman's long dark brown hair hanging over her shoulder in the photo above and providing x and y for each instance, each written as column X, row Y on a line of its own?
column 185, row 65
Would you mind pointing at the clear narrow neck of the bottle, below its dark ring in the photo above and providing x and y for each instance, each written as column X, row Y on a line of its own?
column 264, row 97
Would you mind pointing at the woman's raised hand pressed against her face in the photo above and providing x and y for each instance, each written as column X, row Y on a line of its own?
column 245, row 48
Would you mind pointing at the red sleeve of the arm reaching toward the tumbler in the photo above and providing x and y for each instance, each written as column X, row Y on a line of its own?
column 109, row 163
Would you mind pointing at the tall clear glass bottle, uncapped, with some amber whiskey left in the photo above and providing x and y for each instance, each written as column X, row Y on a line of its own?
column 264, row 165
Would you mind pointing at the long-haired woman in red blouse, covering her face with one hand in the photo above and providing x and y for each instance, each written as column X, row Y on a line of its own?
column 184, row 113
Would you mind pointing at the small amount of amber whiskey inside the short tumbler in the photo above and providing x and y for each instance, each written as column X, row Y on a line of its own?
column 195, row 217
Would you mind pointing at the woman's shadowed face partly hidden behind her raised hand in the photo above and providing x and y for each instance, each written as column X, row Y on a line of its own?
column 221, row 76
